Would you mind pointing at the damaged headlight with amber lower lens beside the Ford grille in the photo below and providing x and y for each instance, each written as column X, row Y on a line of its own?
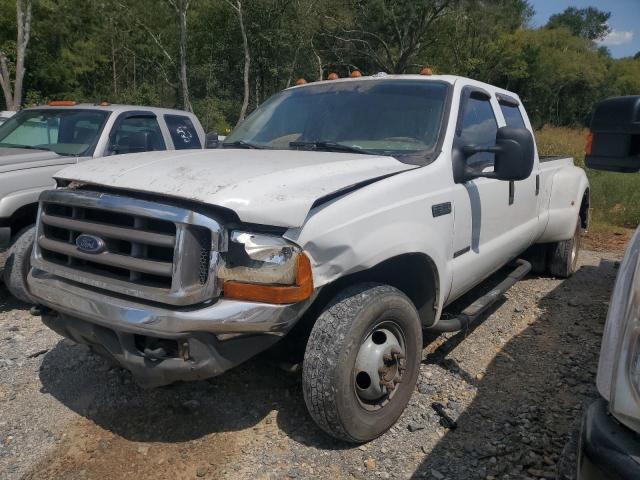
column 265, row 268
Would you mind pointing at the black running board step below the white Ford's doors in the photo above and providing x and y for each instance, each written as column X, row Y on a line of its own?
column 470, row 314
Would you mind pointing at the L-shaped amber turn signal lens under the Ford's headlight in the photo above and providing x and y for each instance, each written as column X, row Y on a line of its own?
column 275, row 293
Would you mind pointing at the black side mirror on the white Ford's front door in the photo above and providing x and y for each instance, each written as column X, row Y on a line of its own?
column 514, row 157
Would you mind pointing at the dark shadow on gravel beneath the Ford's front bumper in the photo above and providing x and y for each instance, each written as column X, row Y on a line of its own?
column 237, row 400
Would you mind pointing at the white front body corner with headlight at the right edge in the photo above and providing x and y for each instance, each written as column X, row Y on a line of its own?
column 619, row 366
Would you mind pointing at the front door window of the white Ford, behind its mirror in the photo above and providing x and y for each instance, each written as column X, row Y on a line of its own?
column 478, row 127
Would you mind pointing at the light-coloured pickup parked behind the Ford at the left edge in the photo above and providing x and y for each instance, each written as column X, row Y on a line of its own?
column 37, row 142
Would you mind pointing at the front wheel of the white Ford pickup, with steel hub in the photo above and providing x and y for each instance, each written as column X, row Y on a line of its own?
column 362, row 362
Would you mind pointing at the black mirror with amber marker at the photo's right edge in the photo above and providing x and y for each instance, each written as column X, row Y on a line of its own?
column 614, row 143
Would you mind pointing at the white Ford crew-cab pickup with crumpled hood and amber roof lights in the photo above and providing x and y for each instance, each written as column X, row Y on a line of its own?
column 343, row 214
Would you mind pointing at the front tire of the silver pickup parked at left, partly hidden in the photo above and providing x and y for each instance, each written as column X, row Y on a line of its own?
column 18, row 263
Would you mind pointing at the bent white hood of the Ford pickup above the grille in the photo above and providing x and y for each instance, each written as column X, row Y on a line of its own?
column 270, row 187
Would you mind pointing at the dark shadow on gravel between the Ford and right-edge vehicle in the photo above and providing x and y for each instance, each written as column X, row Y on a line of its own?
column 524, row 419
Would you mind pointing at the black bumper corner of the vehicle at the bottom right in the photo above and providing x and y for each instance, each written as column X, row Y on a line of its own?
column 608, row 450
